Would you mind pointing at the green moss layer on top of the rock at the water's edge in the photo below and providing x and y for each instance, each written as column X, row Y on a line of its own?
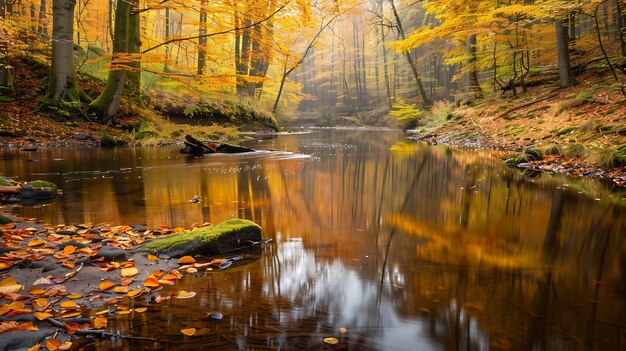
column 201, row 236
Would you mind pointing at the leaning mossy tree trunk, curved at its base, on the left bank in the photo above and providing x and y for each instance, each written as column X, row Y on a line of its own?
column 107, row 104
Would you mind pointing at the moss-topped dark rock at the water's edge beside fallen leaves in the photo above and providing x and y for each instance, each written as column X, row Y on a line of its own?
column 229, row 235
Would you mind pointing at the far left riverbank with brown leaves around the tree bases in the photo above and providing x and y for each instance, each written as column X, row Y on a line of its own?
column 158, row 118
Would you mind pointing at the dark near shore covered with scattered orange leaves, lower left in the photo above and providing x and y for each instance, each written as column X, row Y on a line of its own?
column 66, row 281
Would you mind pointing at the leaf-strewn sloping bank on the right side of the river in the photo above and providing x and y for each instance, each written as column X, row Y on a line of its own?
column 579, row 130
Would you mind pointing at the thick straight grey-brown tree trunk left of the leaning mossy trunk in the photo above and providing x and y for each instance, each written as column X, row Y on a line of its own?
column 61, row 82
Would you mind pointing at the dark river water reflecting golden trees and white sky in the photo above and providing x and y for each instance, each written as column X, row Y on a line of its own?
column 409, row 247
